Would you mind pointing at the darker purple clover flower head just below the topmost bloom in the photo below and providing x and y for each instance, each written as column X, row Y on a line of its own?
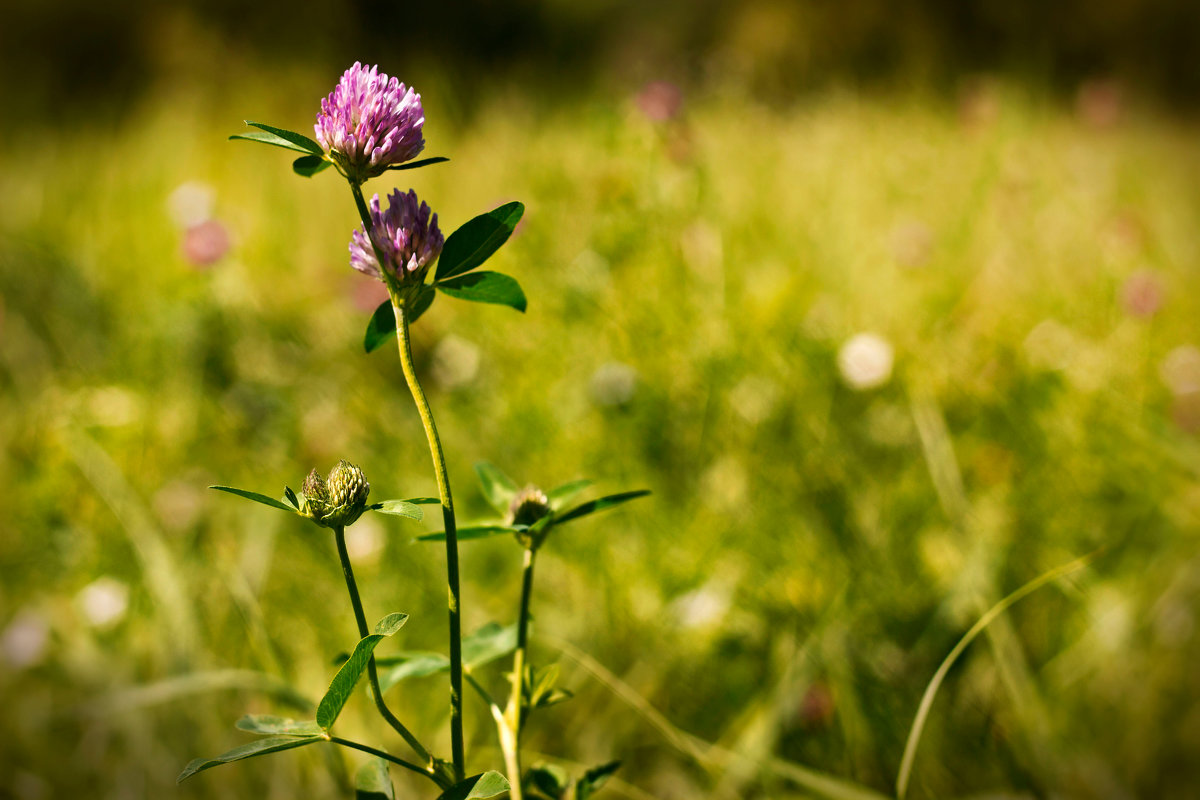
column 407, row 234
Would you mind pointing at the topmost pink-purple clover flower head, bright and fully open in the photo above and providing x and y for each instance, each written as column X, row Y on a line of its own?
column 370, row 123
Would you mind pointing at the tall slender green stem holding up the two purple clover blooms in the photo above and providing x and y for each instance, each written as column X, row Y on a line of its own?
column 440, row 470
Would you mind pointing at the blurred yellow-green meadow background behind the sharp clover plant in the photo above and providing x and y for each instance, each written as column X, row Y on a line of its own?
column 893, row 314
